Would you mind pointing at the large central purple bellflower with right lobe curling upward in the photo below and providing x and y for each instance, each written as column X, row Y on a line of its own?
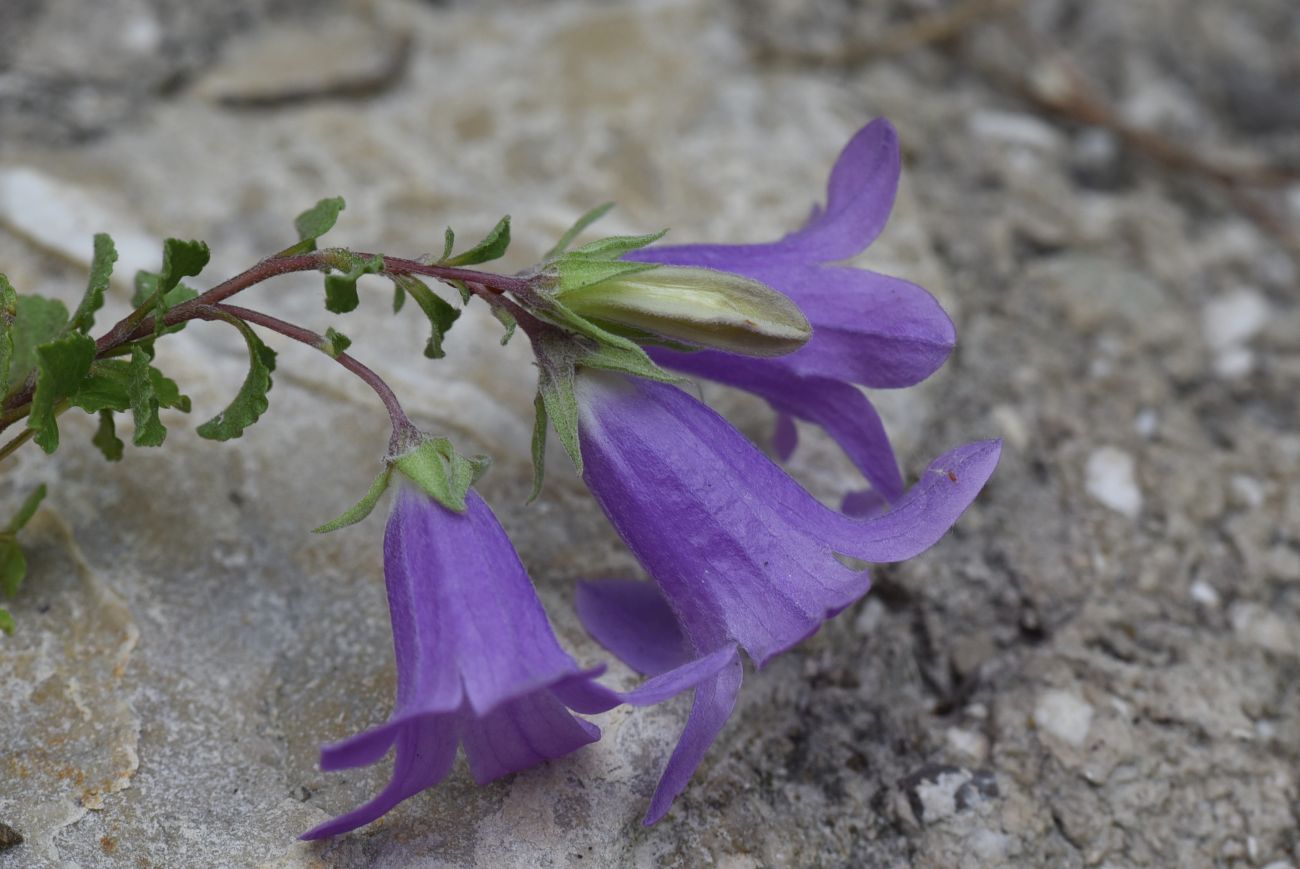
column 743, row 556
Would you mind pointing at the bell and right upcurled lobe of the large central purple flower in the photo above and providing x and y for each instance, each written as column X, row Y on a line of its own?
column 742, row 552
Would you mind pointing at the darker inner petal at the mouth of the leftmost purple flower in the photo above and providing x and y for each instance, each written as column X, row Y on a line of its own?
column 523, row 733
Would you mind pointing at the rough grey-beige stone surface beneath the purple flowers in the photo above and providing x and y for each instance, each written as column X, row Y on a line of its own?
column 1060, row 682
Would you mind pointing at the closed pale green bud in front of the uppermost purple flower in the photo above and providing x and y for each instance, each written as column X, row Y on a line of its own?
column 696, row 306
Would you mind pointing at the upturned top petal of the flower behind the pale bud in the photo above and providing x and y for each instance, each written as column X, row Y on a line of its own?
column 860, row 197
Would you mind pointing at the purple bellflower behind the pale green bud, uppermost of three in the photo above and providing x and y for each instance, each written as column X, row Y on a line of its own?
column 868, row 328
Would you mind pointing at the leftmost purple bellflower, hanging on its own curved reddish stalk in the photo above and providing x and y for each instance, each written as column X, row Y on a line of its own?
column 478, row 662
